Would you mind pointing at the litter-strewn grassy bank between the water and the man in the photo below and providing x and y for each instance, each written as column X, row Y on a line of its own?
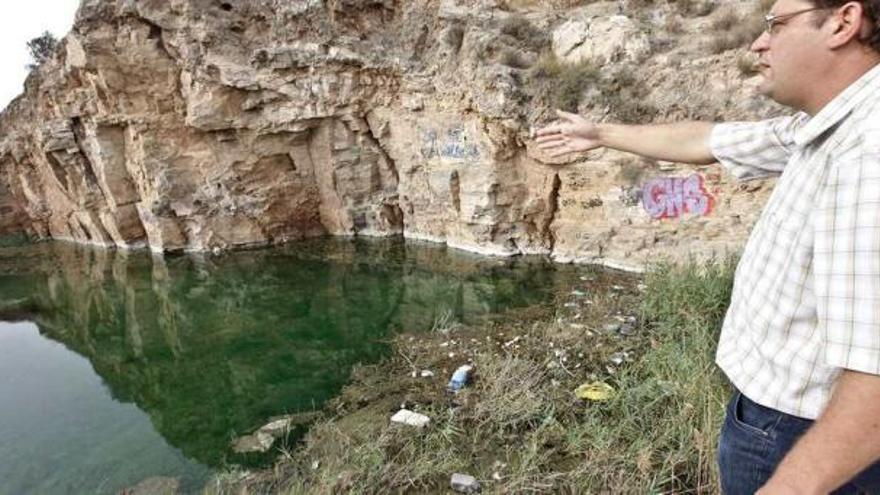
column 518, row 428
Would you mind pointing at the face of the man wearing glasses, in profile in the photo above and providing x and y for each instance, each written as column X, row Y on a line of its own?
column 790, row 56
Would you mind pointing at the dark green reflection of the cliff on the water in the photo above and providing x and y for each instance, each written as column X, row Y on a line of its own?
column 211, row 346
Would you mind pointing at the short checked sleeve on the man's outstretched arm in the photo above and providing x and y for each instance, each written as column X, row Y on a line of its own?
column 751, row 150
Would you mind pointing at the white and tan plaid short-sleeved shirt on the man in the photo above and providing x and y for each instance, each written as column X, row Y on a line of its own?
column 806, row 297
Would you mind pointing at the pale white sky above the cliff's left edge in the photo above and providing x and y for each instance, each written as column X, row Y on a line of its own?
column 21, row 21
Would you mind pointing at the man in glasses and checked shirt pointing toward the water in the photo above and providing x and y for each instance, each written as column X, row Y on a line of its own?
column 801, row 340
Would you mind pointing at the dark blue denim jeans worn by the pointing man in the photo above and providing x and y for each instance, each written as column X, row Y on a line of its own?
column 753, row 442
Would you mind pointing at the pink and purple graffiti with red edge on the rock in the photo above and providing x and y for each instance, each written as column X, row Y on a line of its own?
column 672, row 197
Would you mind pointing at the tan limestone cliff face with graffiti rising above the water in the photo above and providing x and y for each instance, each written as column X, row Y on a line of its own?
column 205, row 124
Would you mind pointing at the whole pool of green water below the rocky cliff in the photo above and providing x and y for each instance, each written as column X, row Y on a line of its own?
column 120, row 366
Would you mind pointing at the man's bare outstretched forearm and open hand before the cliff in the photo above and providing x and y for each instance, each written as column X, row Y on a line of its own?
column 686, row 142
